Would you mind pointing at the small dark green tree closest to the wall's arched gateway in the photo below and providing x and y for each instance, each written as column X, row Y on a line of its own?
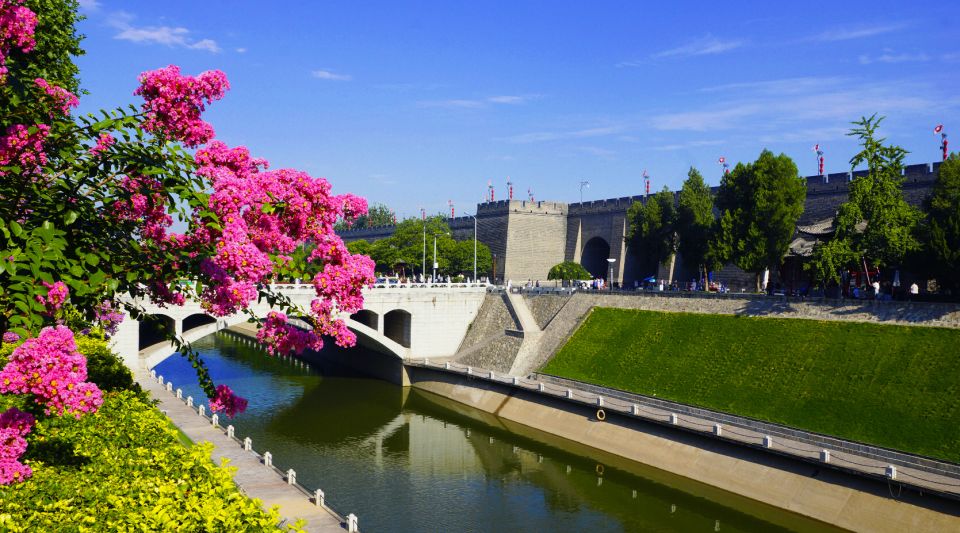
column 652, row 231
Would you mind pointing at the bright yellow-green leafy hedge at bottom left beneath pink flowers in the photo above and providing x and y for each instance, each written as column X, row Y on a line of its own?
column 122, row 468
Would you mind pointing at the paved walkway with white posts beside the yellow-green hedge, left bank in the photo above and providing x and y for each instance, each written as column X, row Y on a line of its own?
column 253, row 478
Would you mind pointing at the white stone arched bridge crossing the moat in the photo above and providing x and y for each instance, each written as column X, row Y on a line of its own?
column 400, row 320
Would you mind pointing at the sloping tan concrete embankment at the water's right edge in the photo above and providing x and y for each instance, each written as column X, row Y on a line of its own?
column 829, row 496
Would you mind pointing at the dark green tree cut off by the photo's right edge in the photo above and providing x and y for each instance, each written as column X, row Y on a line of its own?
column 943, row 227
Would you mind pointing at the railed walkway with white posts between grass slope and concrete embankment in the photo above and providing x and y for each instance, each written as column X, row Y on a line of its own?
column 939, row 476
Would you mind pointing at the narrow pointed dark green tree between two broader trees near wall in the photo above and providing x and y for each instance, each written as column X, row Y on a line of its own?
column 695, row 221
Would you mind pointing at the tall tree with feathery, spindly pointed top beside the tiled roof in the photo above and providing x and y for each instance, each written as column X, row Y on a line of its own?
column 875, row 225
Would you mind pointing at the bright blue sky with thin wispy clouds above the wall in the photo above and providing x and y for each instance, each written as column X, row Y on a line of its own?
column 417, row 103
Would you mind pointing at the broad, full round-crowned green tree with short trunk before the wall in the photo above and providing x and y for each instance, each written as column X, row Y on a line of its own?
column 760, row 204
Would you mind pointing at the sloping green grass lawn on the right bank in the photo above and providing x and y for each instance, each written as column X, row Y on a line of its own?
column 892, row 386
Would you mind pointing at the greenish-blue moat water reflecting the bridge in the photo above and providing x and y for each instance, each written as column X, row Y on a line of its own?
column 407, row 460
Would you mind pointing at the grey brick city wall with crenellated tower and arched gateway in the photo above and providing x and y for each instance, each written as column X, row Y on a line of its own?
column 527, row 238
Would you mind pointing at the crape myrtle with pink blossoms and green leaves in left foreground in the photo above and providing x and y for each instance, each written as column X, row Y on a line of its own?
column 86, row 207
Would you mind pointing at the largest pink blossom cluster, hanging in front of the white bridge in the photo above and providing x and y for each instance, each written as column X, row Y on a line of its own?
column 269, row 213
